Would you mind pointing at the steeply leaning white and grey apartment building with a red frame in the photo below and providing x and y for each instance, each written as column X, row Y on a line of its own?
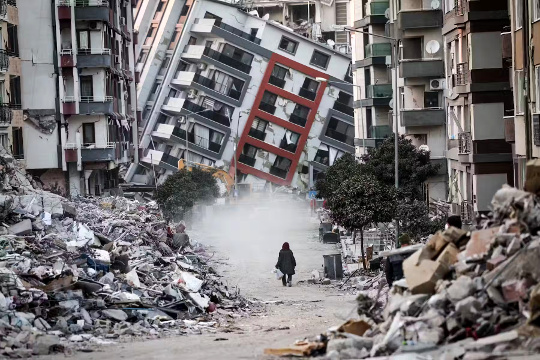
column 249, row 92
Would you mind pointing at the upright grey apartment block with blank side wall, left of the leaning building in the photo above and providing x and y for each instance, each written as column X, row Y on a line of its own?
column 79, row 97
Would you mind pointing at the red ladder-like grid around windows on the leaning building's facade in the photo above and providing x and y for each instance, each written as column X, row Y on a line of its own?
column 303, row 131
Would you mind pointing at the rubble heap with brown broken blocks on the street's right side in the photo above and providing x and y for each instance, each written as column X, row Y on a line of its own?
column 465, row 295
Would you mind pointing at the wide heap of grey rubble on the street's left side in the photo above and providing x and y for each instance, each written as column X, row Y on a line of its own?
column 77, row 274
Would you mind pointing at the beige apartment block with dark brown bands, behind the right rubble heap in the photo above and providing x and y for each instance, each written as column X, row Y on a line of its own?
column 479, row 98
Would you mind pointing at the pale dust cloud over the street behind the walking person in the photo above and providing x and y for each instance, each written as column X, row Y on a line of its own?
column 249, row 235
